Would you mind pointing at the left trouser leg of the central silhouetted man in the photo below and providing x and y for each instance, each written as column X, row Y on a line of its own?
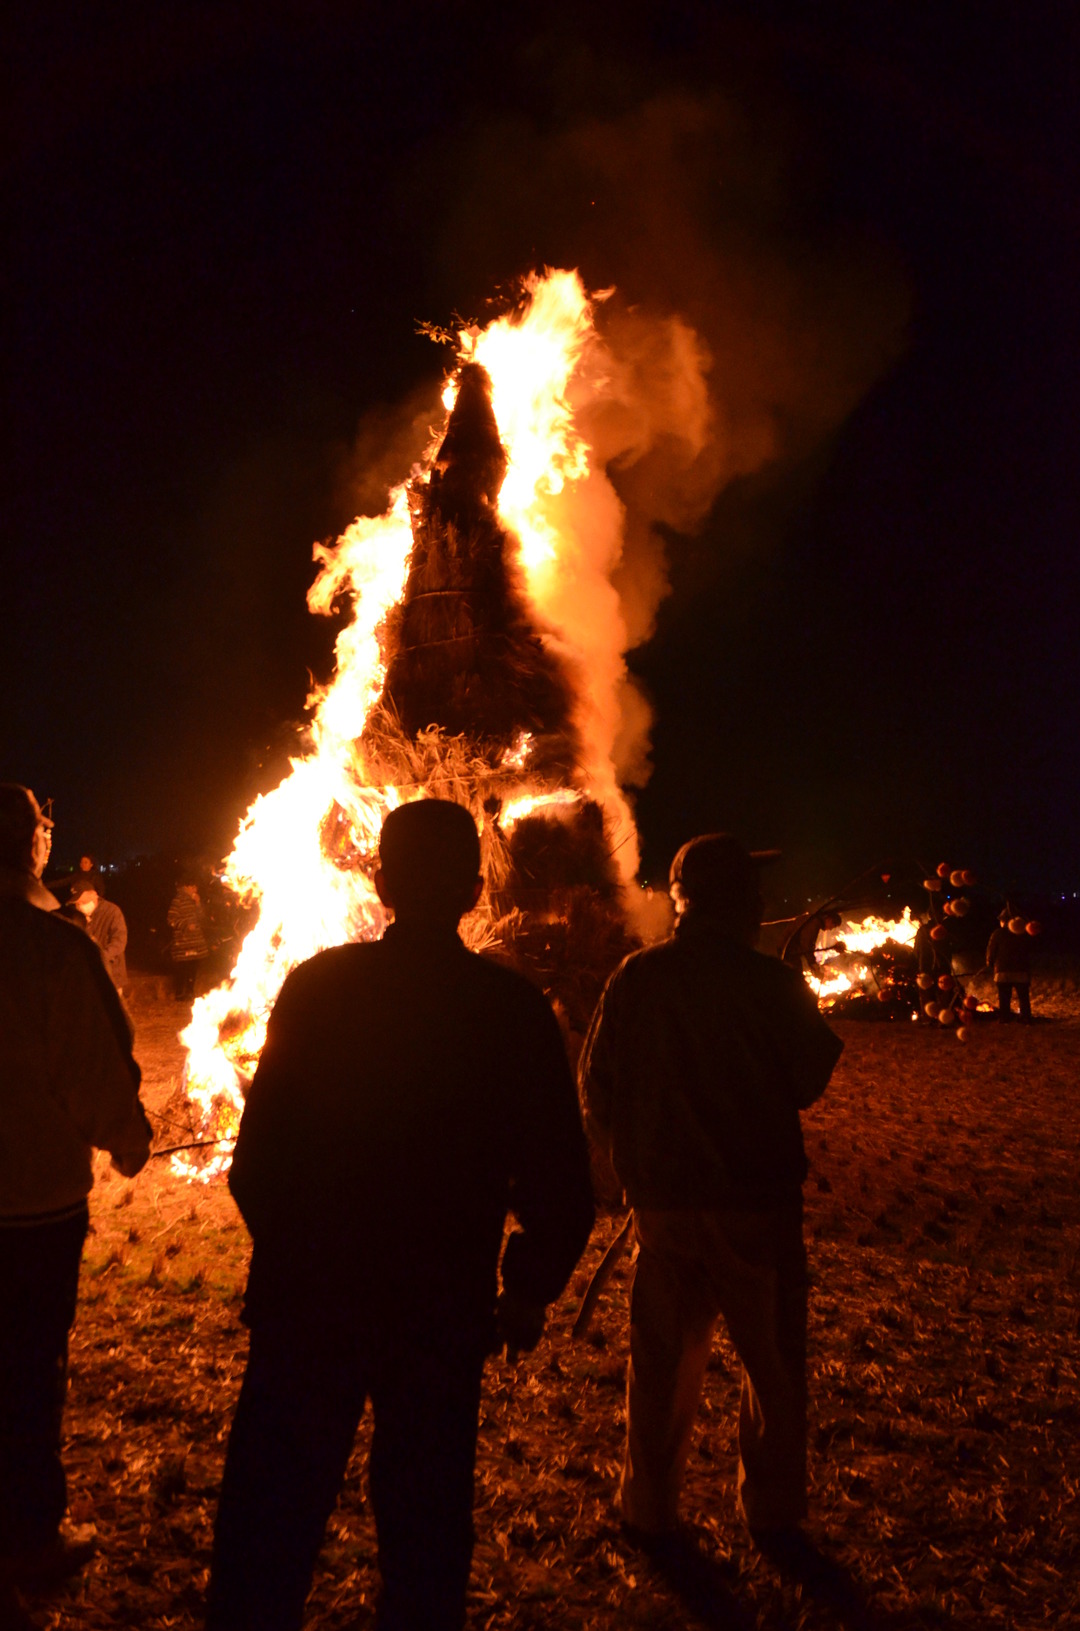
column 288, row 1454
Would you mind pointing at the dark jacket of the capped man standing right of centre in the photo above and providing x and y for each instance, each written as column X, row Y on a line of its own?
column 697, row 1064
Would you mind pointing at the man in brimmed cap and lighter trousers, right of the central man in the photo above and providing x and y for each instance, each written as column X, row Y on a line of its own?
column 699, row 1059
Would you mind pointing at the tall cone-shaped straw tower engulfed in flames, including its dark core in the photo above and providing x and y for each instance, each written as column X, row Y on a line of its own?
column 482, row 663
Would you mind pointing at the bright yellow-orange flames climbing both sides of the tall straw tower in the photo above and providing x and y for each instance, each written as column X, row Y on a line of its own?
column 306, row 852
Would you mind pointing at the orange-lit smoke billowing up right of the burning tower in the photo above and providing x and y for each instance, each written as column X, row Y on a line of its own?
column 737, row 340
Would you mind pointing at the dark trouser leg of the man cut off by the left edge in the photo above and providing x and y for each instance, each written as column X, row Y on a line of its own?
column 38, row 1294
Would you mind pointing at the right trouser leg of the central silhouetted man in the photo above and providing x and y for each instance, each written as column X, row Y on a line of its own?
column 427, row 1408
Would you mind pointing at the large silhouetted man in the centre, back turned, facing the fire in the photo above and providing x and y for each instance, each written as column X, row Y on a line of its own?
column 409, row 1095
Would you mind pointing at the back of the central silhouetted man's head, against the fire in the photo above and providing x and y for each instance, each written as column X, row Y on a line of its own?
column 430, row 855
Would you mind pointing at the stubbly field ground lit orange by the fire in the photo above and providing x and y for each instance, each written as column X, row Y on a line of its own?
column 944, row 1219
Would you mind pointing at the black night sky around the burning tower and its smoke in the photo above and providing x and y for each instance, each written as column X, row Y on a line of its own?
column 228, row 221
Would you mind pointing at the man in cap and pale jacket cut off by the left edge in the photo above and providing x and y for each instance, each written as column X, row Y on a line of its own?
column 69, row 1085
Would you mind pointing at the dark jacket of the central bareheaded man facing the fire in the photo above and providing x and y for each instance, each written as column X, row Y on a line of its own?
column 409, row 1095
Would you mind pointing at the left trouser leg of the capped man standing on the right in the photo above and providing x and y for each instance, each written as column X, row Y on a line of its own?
column 673, row 1314
